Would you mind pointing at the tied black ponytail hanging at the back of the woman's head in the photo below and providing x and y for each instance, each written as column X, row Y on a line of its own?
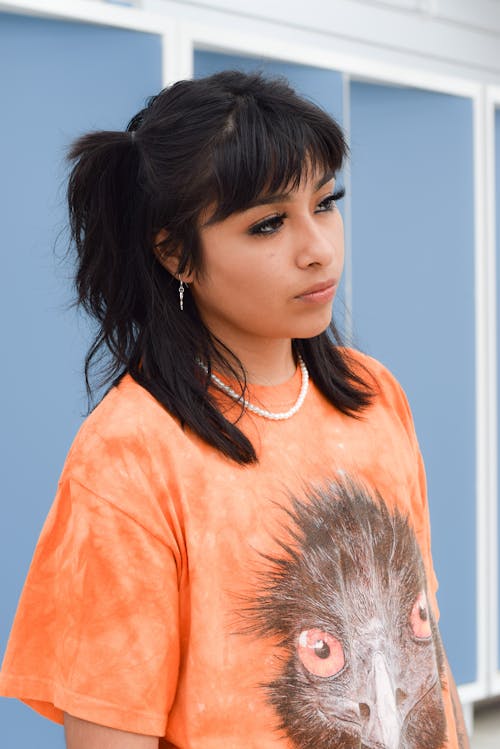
column 108, row 216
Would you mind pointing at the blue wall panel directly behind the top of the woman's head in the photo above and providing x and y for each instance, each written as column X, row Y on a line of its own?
column 323, row 87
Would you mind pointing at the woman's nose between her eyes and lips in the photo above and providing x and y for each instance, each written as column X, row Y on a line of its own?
column 316, row 243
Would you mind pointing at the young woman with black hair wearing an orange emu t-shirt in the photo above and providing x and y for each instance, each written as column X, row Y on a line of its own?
column 239, row 551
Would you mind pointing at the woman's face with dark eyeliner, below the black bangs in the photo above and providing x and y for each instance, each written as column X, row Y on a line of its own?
column 272, row 270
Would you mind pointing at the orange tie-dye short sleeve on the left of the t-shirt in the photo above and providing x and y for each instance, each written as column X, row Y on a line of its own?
column 96, row 630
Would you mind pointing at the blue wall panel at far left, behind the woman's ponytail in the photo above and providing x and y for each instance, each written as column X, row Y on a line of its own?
column 57, row 80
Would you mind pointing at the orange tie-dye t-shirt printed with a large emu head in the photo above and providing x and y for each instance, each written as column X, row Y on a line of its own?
column 176, row 593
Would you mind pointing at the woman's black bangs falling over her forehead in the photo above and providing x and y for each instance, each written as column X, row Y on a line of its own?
column 263, row 151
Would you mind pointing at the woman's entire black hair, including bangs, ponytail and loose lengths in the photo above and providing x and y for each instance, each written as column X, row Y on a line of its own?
column 218, row 141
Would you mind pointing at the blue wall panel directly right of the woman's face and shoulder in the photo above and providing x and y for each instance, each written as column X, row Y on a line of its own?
column 413, row 308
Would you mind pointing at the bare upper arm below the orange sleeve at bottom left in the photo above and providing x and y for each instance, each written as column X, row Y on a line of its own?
column 81, row 734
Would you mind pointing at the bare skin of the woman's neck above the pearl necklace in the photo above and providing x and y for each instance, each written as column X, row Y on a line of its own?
column 271, row 362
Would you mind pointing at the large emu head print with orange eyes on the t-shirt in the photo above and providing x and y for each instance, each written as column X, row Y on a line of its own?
column 360, row 659
